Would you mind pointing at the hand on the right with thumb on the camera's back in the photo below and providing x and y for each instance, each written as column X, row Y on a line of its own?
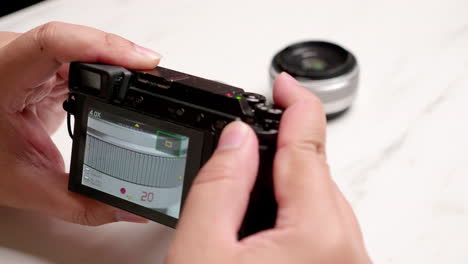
column 315, row 224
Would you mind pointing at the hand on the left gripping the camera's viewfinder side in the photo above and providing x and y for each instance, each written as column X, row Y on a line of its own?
column 33, row 83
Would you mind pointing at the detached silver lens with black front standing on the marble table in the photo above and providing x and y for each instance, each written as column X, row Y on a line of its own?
column 328, row 70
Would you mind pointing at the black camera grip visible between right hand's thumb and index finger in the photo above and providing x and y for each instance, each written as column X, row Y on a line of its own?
column 262, row 209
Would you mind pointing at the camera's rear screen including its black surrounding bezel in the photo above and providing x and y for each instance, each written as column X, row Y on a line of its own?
column 134, row 161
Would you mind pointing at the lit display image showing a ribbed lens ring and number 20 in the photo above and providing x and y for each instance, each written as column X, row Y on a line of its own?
column 134, row 161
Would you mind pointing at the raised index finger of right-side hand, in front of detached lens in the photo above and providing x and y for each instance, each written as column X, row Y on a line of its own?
column 301, row 178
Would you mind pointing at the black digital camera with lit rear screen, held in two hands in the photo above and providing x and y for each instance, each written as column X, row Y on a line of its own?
column 140, row 138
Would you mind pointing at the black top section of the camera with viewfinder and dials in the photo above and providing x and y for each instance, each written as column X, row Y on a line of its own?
column 162, row 86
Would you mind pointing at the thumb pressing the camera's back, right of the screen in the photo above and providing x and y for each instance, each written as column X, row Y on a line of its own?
column 218, row 198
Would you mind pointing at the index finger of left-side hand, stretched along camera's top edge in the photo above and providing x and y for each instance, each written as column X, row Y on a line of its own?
column 35, row 56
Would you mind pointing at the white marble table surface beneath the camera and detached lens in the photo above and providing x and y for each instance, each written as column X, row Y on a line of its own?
column 400, row 154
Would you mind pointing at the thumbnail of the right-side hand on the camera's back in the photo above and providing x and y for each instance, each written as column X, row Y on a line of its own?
column 233, row 136
